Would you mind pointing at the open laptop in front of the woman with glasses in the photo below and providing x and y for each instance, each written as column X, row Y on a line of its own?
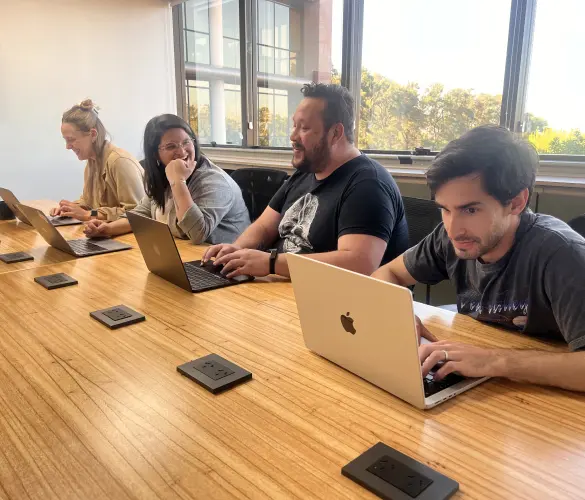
column 79, row 248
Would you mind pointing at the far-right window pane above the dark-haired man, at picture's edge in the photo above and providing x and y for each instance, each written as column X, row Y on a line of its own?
column 555, row 107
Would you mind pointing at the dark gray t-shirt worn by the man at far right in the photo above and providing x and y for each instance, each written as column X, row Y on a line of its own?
column 538, row 287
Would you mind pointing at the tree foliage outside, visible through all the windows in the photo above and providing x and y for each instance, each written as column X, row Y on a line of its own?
column 401, row 117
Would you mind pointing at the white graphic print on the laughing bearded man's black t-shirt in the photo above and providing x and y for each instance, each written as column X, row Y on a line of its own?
column 295, row 225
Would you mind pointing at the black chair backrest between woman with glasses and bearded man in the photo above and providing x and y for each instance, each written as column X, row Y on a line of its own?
column 258, row 186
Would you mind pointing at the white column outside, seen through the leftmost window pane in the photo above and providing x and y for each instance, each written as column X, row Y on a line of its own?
column 216, row 87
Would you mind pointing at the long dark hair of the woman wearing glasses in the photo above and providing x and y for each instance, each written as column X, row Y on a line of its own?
column 155, row 180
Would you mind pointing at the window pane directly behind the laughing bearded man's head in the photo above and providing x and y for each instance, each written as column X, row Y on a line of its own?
column 296, row 45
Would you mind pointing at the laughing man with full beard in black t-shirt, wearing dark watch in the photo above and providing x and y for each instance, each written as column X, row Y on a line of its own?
column 339, row 206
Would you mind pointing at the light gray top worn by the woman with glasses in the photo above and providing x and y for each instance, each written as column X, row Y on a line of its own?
column 219, row 214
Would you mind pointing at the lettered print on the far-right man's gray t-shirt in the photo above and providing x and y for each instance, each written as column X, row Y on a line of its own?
column 510, row 313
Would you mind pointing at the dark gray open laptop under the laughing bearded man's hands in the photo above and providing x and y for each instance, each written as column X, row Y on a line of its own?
column 162, row 258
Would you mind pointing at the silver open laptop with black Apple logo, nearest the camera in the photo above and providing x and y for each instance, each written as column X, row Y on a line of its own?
column 367, row 326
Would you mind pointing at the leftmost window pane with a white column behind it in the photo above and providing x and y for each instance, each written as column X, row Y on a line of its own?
column 212, row 66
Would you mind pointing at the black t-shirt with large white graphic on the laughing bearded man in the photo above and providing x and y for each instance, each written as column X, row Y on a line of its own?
column 360, row 197
